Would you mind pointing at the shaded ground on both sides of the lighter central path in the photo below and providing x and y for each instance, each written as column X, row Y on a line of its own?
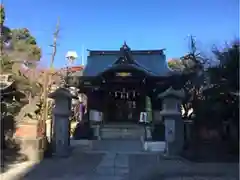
column 141, row 167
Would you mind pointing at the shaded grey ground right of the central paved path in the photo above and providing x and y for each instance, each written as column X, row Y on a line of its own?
column 151, row 168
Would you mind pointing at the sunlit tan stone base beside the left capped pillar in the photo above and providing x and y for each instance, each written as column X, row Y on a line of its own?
column 31, row 139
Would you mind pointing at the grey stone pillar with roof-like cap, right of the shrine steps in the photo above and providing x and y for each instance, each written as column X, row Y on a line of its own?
column 174, row 125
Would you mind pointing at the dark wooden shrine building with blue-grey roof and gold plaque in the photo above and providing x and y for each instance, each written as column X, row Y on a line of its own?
column 118, row 83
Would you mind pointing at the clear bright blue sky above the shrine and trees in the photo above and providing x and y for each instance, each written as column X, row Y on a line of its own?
column 105, row 24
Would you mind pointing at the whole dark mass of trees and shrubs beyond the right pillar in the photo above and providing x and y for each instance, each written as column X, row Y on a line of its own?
column 213, row 94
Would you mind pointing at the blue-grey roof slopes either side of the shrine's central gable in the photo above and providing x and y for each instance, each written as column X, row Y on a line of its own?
column 155, row 63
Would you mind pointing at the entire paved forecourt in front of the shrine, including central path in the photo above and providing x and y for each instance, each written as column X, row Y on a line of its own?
column 124, row 161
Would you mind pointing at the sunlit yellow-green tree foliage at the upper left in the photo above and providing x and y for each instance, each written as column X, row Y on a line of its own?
column 20, row 48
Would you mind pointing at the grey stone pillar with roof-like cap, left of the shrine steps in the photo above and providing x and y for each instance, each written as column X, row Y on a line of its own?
column 61, row 123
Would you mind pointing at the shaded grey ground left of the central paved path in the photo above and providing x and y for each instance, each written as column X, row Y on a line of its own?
column 70, row 167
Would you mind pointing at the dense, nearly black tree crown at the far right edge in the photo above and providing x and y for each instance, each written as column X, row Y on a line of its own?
column 224, row 79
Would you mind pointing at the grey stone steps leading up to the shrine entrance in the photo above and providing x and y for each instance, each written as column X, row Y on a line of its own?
column 122, row 131
